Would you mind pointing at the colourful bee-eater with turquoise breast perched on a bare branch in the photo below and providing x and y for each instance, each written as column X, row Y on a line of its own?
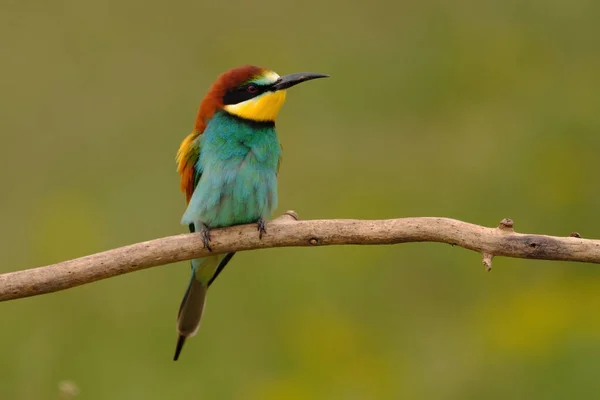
column 228, row 168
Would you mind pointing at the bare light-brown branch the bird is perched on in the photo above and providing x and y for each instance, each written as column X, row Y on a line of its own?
column 287, row 231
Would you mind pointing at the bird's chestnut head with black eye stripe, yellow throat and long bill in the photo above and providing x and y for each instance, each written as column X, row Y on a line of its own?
column 249, row 92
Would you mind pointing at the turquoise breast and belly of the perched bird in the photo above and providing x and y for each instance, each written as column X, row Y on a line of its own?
column 238, row 165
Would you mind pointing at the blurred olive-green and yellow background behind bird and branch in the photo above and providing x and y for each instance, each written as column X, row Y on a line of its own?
column 476, row 110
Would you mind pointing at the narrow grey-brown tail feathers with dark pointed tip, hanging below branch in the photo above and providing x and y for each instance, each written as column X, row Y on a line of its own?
column 190, row 312
